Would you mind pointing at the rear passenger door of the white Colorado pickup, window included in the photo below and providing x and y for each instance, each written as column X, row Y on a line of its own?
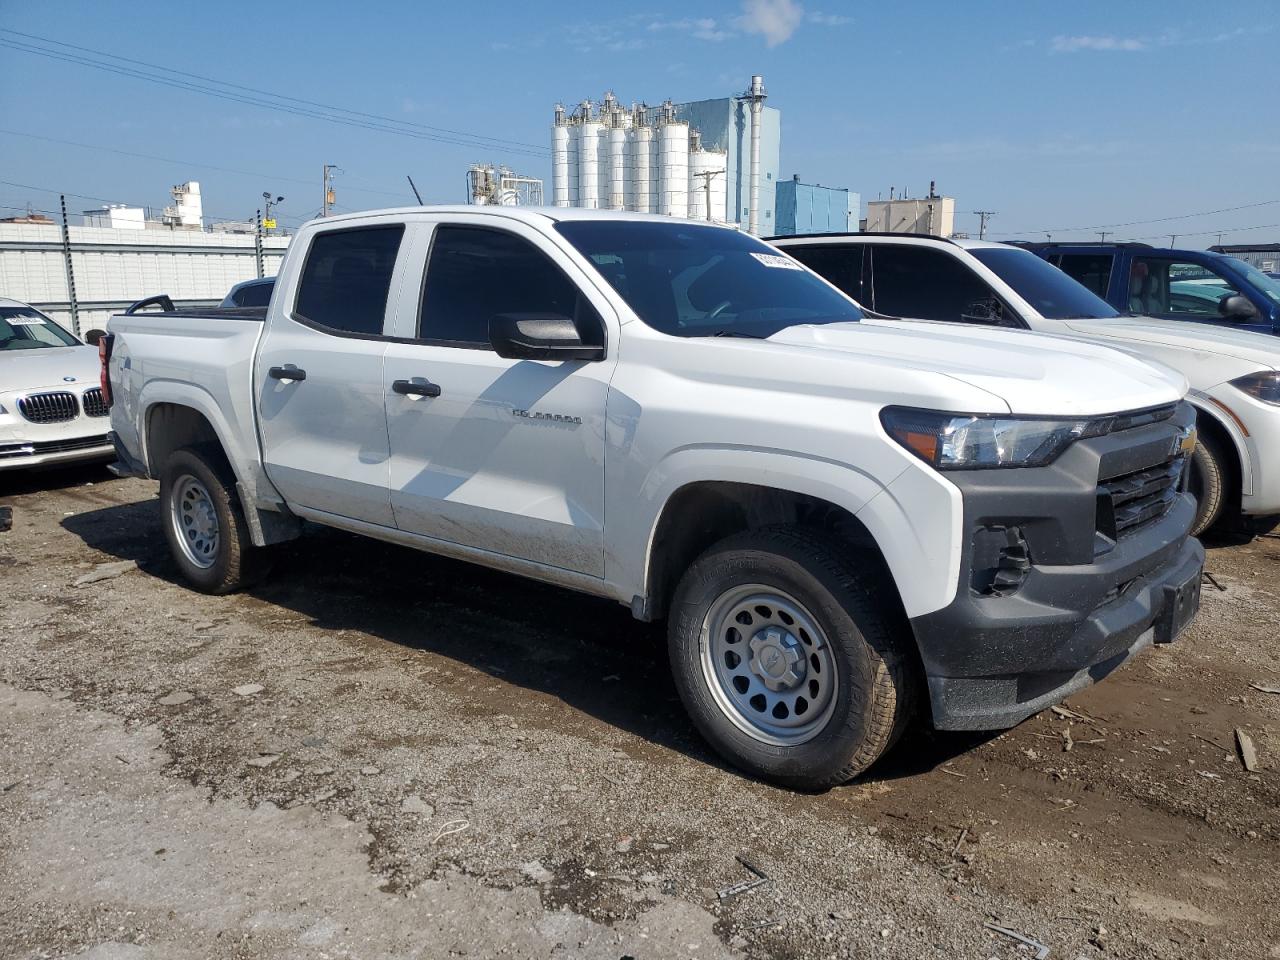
column 319, row 376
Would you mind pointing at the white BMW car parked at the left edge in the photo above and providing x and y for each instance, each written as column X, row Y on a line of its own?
column 52, row 408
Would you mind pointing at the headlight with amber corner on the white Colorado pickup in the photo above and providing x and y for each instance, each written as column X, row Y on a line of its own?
column 959, row 442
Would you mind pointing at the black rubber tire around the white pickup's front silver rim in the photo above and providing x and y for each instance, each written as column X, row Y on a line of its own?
column 870, row 646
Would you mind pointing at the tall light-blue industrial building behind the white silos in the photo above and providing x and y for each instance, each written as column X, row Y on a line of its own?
column 726, row 125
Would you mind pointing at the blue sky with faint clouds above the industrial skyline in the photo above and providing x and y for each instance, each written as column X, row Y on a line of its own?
column 1054, row 115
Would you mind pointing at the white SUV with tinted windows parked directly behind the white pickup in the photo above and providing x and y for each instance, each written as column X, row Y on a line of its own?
column 1235, row 380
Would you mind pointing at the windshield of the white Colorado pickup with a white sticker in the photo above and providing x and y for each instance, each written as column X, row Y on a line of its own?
column 691, row 281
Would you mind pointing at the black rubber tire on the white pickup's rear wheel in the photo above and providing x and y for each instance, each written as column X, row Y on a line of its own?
column 236, row 563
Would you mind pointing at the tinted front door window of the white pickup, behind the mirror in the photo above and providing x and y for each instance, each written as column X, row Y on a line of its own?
column 476, row 275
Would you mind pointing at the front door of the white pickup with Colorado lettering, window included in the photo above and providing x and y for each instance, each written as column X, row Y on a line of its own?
column 501, row 455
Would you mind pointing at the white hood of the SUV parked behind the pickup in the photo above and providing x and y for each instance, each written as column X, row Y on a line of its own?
column 1186, row 345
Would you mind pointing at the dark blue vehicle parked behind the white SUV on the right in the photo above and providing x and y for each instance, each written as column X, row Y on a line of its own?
column 1173, row 285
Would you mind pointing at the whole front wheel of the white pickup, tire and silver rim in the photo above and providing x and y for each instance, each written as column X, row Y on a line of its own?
column 787, row 662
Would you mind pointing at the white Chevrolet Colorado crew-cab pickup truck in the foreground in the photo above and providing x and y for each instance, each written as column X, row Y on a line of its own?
column 834, row 515
